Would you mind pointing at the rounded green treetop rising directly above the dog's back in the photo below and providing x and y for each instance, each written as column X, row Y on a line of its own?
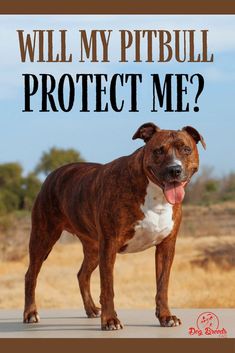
column 56, row 157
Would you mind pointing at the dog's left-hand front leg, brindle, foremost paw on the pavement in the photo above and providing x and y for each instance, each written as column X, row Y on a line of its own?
column 109, row 319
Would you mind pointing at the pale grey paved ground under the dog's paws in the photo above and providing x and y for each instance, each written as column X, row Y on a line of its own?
column 137, row 324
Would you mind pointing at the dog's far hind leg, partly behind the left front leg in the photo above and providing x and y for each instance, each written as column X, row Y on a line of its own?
column 90, row 262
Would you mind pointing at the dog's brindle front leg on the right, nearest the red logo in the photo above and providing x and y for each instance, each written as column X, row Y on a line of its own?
column 164, row 256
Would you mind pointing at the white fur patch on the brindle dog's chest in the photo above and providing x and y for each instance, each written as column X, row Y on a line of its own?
column 157, row 223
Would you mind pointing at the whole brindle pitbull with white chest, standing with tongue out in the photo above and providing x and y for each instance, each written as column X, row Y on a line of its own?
column 124, row 206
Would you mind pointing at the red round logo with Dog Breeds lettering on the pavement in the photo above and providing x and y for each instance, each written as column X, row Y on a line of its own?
column 207, row 325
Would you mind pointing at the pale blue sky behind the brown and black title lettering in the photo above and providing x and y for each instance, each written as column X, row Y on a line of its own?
column 102, row 137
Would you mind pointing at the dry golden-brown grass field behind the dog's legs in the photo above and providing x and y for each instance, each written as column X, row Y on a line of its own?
column 202, row 275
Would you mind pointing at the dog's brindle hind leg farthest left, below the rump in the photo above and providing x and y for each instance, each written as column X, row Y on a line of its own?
column 41, row 243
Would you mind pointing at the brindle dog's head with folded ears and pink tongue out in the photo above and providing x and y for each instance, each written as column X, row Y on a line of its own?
column 170, row 157
